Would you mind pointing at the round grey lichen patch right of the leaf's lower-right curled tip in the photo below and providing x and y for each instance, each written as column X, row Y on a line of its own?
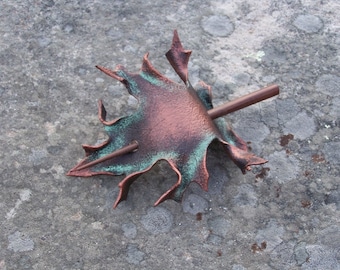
column 283, row 168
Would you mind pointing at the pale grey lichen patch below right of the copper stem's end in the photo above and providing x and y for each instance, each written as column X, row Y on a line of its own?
column 302, row 126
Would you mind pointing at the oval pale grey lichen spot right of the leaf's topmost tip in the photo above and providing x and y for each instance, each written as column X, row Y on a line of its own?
column 218, row 26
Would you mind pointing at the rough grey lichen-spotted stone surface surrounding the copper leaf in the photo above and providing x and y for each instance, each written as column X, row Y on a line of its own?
column 282, row 216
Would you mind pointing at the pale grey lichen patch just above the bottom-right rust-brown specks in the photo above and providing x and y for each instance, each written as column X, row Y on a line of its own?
column 271, row 234
